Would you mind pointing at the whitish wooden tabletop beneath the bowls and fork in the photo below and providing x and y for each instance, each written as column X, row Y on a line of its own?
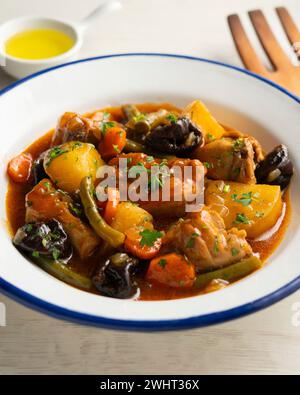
column 267, row 342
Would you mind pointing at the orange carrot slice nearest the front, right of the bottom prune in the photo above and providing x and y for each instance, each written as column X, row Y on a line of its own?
column 172, row 270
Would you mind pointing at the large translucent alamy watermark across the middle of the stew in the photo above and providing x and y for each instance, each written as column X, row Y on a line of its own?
column 182, row 181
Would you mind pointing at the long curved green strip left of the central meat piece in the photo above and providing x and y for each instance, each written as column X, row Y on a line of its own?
column 106, row 232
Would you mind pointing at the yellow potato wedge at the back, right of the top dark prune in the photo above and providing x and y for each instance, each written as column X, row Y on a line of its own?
column 200, row 115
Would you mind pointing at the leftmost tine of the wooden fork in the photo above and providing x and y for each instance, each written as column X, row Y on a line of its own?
column 244, row 47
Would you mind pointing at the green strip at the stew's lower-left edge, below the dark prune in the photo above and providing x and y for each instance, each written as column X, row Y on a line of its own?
column 61, row 271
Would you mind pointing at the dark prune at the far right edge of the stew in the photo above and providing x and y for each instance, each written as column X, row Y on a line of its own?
column 276, row 169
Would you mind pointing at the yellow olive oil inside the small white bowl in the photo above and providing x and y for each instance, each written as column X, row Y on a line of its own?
column 38, row 44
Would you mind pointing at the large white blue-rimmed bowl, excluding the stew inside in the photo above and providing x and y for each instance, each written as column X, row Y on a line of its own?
column 238, row 98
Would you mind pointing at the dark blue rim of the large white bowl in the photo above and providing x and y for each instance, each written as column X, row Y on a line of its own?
column 185, row 323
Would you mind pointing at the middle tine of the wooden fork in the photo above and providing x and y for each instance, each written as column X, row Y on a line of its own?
column 270, row 44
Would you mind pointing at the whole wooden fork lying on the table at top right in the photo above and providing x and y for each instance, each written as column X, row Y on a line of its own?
column 284, row 72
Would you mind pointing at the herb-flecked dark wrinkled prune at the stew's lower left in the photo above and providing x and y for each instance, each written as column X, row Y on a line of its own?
column 45, row 239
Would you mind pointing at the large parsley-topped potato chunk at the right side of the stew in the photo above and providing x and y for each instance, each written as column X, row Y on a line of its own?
column 254, row 208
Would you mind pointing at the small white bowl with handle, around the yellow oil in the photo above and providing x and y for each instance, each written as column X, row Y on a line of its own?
column 20, row 68
